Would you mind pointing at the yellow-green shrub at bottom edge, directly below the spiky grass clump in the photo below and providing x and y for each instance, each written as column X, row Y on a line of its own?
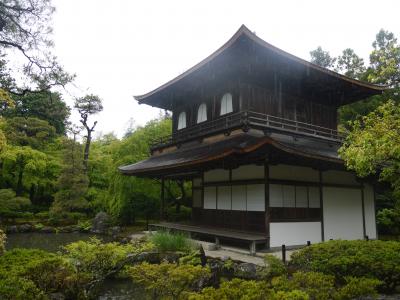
column 168, row 281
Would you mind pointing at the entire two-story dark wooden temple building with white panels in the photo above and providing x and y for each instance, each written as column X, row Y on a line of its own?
column 255, row 129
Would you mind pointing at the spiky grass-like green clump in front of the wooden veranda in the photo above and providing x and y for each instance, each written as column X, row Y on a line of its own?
column 165, row 241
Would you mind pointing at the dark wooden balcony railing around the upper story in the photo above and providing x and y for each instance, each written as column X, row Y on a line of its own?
column 247, row 120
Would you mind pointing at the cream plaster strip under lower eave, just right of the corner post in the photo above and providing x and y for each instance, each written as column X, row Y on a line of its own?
column 288, row 172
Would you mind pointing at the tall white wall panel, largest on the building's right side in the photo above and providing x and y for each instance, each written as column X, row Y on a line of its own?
column 342, row 213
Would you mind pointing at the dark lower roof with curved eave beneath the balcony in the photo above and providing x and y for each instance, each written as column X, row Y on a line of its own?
column 237, row 147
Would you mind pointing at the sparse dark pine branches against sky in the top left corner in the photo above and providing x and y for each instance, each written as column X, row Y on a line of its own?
column 25, row 27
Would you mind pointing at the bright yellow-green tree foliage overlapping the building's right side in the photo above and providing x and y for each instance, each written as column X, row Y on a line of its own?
column 373, row 145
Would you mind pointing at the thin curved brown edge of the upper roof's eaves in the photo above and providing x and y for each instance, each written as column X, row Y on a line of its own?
column 243, row 30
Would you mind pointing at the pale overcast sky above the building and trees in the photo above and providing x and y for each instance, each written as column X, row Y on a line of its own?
column 122, row 48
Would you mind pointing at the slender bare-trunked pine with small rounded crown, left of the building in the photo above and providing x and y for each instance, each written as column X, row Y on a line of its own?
column 87, row 106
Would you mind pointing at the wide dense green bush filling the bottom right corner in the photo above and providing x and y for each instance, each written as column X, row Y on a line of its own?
column 371, row 259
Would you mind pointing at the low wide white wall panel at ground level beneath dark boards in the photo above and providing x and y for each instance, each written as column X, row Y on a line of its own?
column 294, row 233
